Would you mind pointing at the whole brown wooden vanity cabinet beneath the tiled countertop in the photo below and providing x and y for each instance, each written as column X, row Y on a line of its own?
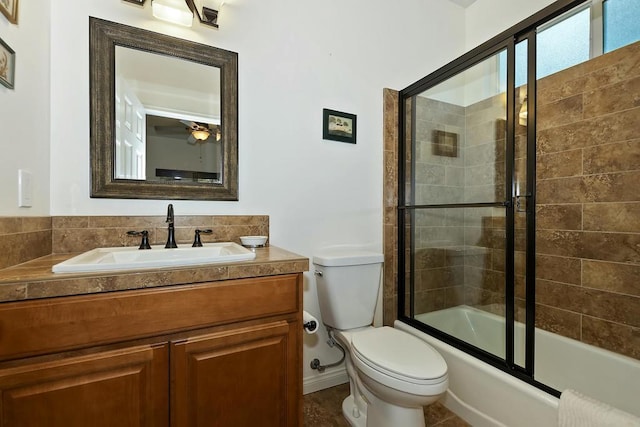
column 223, row 353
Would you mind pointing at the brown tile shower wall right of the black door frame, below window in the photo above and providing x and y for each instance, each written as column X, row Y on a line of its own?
column 588, row 212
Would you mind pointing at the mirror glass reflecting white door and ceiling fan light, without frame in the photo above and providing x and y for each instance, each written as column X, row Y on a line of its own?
column 167, row 123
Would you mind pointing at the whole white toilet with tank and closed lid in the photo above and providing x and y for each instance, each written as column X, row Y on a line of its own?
column 392, row 374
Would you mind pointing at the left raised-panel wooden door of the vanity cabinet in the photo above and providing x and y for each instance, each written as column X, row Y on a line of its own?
column 127, row 387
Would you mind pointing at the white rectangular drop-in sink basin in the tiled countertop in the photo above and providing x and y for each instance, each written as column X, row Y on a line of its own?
column 127, row 258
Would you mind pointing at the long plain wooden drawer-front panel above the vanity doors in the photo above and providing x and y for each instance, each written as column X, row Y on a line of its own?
column 45, row 326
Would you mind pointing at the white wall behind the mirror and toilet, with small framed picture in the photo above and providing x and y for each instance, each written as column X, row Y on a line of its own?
column 295, row 58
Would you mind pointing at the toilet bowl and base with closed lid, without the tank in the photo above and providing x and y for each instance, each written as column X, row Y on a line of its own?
column 397, row 372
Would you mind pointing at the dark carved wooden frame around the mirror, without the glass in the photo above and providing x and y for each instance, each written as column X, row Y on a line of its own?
column 104, row 36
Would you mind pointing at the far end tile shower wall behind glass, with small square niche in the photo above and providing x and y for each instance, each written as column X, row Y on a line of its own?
column 439, row 233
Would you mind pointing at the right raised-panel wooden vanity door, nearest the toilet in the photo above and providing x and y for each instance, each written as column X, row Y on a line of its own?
column 235, row 378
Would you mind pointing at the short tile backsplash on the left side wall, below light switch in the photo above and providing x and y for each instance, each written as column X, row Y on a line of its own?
column 23, row 239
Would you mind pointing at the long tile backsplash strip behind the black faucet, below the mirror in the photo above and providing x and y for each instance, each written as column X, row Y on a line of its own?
column 82, row 233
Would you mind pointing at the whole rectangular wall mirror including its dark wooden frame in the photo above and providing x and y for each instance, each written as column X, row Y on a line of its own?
column 164, row 116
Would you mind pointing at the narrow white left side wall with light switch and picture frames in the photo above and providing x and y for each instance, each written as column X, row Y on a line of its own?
column 24, row 110
